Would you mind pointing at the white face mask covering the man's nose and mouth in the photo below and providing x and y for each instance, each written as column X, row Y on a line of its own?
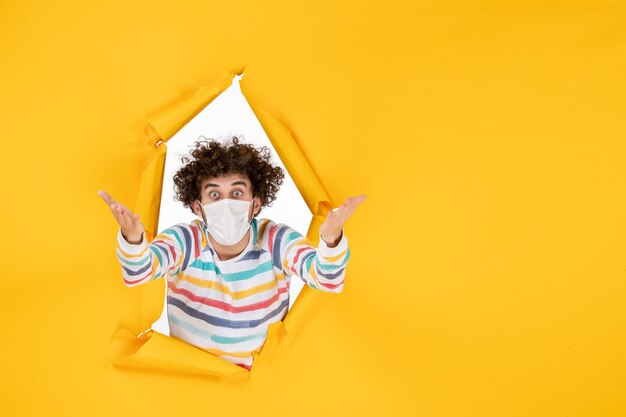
column 227, row 220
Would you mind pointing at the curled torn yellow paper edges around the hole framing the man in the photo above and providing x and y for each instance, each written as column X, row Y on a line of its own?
column 152, row 350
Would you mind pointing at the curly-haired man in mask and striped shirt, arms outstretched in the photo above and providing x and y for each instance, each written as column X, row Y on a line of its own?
column 228, row 273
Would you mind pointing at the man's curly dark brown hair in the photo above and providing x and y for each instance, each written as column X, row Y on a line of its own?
column 211, row 158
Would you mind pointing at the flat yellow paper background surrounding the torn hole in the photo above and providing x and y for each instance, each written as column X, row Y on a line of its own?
column 488, row 268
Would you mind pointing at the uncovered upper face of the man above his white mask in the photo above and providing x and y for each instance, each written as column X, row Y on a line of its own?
column 232, row 186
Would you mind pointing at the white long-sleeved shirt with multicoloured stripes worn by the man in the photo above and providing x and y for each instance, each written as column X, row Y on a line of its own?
column 225, row 307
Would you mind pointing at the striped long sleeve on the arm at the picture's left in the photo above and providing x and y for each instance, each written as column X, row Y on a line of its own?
column 169, row 252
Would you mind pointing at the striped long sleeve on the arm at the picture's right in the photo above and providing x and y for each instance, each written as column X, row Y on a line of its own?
column 321, row 268
